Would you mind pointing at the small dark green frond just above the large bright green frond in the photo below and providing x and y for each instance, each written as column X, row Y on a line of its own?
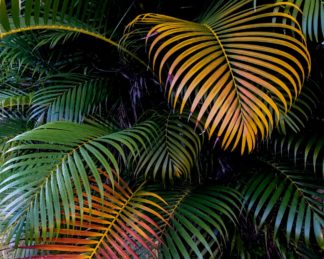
column 68, row 97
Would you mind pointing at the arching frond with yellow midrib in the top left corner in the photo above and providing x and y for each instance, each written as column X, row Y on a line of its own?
column 85, row 17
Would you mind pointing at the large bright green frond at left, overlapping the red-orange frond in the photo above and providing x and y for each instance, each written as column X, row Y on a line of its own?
column 49, row 162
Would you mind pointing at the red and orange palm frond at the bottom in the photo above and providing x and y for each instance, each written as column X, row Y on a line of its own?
column 121, row 226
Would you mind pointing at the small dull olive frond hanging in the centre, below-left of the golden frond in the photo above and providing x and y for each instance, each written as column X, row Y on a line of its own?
column 172, row 153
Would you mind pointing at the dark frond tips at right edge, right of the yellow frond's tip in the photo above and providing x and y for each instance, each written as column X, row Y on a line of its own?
column 309, row 149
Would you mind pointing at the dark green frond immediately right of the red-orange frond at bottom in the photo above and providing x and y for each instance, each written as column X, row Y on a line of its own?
column 199, row 220
